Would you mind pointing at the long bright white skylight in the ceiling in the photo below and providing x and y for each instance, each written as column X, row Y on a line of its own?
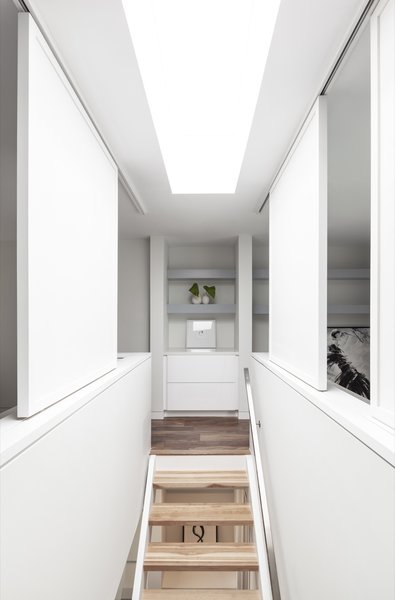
column 202, row 63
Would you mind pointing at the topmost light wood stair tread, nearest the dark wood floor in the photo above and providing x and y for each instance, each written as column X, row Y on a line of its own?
column 200, row 479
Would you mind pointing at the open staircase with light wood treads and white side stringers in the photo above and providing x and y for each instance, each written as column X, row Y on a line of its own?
column 199, row 535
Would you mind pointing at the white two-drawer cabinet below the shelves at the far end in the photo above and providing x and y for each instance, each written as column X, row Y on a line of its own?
column 202, row 382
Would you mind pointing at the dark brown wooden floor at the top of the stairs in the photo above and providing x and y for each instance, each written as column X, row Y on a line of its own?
column 200, row 435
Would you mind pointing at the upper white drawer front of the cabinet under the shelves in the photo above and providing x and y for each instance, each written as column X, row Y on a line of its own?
column 195, row 369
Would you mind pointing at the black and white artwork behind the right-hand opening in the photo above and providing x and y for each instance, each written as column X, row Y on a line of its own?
column 349, row 359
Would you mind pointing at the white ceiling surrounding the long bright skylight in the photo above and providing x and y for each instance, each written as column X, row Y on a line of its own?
column 93, row 42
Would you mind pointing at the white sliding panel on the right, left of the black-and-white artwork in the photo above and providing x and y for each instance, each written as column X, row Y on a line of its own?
column 298, row 255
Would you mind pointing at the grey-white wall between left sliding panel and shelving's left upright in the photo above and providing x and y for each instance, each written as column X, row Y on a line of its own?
column 133, row 295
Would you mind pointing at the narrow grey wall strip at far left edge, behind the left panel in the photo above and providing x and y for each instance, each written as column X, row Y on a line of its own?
column 8, row 118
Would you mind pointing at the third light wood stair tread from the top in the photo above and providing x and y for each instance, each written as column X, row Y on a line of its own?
column 203, row 557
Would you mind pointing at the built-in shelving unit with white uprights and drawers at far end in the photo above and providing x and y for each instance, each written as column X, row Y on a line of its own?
column 208, row 380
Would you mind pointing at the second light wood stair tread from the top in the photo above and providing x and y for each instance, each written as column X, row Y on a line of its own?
column 205, row 514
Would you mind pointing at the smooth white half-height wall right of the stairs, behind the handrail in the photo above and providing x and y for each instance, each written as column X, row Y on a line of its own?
column 331, row 499
